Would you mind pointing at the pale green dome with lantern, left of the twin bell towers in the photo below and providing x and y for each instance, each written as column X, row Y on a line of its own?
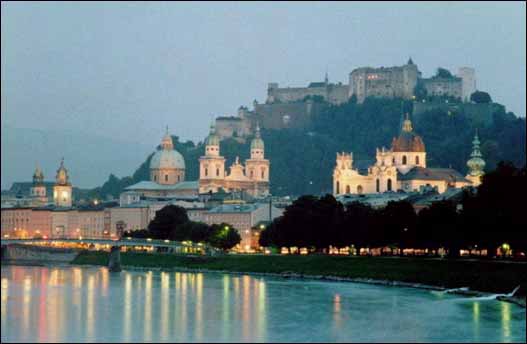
column 167, row 165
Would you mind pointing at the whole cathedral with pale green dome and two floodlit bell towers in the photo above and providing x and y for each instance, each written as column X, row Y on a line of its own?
column 167, row 173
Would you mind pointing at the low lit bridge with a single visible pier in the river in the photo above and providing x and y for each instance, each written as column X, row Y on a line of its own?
column 114, row 262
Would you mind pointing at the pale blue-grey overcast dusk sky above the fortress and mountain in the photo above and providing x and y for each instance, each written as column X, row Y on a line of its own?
column 125, row 70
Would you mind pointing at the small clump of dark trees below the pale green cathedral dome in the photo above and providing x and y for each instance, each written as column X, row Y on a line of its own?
column 172, row 223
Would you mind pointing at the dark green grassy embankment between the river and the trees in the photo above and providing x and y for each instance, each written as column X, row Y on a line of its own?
column 478, row 275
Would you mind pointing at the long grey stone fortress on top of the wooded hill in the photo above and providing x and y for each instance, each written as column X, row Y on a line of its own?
column 293, row 107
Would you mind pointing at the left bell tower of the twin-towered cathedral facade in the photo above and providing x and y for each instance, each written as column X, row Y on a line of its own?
column 211, row 165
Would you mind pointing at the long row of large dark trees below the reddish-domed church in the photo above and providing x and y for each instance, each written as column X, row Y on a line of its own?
column 490, row 217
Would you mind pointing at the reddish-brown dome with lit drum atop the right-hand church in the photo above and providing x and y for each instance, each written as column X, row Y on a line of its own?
column 408, row 148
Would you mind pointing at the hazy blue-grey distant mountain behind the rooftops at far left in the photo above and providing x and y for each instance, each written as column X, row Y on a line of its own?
column 89, row 158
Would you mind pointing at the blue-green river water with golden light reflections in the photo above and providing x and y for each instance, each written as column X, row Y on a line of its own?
column 88, row 304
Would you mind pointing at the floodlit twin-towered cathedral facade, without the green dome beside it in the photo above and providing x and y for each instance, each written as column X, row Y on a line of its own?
column 253, row 178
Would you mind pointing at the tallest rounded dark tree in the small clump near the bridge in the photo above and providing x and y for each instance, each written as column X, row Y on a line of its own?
column 167, row 220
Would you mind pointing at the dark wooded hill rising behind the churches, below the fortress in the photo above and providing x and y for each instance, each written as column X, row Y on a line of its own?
column 302, row 161
